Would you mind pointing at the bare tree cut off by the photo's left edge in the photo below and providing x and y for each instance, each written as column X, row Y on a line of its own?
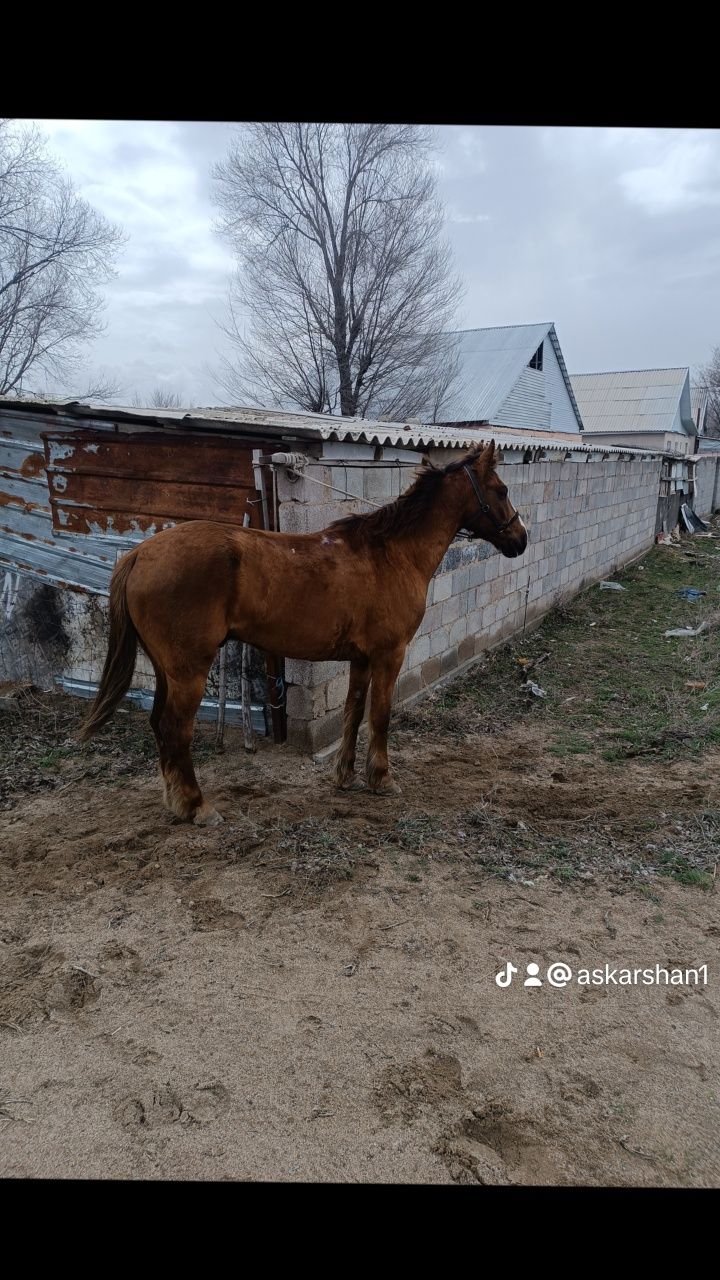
column 56, row 252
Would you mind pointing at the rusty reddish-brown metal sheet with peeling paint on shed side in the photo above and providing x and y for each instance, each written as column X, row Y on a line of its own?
column 136, row 484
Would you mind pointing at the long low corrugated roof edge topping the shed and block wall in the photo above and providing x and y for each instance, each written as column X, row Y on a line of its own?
column 311, row 427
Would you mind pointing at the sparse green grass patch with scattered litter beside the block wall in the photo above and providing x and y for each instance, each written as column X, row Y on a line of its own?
column 616, row 685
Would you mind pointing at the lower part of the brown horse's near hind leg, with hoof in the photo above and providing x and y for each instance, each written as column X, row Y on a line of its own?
column 174, row 721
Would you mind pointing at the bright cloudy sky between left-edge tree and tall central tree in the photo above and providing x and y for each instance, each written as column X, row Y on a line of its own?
column 154, row 179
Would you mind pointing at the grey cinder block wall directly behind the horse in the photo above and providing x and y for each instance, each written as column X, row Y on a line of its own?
column 585, row 520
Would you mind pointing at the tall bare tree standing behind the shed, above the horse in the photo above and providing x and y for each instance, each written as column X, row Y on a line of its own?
column 343, row 269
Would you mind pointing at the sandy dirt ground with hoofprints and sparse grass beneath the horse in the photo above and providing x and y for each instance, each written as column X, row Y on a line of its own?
column 308, row 993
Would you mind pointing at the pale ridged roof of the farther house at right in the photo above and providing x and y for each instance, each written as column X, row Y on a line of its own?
column 636, row 400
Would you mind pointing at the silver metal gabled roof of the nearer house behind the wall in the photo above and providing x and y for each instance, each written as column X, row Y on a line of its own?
column 491, row 363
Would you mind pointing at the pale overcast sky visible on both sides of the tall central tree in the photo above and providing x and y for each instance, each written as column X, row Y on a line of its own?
column 612, row 234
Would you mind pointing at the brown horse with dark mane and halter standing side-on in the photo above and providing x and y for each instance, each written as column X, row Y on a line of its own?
column 354, row 592
